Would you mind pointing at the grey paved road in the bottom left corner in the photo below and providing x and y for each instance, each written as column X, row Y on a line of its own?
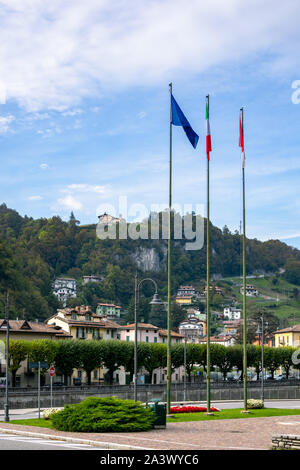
column 13, row 442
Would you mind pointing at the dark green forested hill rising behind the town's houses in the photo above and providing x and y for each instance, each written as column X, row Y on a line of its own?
column 33, row 252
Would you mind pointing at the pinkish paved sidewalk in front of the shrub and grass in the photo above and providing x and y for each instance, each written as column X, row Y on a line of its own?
column 230, row 434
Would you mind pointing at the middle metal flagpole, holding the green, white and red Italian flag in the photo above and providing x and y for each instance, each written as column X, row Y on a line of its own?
column 207, row 289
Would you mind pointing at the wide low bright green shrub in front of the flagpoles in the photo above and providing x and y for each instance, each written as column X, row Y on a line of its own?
column 109, row 414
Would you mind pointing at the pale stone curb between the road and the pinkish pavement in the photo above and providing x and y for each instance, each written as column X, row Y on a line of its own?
column 74, row 440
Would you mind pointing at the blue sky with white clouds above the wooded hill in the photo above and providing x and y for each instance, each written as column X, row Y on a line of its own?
column 84, row 108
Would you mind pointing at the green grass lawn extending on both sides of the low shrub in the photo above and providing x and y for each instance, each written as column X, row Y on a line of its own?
column 223, row 414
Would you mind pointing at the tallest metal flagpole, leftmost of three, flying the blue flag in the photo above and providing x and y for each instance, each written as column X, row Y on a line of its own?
column 169, row 266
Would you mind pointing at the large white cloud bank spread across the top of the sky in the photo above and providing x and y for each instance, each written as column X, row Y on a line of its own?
column 57, row 53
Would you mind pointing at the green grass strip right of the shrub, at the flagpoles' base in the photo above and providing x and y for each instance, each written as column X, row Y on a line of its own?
column 232, row 414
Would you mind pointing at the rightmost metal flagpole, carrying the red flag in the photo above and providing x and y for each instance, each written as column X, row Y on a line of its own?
column 244, row 274
